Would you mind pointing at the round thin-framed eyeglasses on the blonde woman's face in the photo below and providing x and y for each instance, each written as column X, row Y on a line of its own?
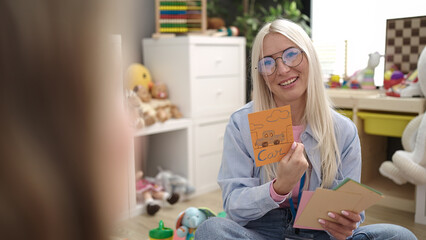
column 291, row 57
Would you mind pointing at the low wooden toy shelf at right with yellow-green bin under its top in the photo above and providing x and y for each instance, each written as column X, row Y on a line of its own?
column 359, row 103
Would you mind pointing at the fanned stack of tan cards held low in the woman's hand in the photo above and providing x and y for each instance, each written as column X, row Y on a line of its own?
column 349, row 195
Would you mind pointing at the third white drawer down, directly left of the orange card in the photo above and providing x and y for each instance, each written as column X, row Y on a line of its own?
column 209, row 138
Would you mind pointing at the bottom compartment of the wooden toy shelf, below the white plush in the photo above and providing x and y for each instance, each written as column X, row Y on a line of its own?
column 399, row 197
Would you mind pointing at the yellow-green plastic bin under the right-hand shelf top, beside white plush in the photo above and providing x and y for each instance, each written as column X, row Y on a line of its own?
column 384, row 124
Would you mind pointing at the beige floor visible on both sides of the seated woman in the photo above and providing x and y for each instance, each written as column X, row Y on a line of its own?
column 138, row 227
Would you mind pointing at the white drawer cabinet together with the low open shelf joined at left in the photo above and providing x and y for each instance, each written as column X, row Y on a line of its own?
column 206, row 80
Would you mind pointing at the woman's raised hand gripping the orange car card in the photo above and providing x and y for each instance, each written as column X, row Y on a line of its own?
column 290, row 169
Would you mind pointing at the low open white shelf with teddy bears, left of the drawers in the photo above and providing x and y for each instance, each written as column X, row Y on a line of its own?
column 168, row 145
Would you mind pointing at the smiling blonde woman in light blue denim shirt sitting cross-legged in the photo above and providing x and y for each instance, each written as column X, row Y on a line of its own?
column 261, row 201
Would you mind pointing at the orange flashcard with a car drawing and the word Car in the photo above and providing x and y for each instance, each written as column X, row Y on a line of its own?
column 271, row 134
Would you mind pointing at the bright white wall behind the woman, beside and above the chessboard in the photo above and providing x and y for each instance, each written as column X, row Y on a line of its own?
column 362, row 23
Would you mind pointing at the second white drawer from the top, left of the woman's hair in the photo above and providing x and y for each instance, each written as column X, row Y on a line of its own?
column 218, row 95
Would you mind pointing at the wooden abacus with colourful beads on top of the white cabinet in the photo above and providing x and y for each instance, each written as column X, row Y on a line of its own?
column 180, row 17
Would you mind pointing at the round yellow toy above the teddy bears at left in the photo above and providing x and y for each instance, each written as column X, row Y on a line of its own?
column 138, row 75
